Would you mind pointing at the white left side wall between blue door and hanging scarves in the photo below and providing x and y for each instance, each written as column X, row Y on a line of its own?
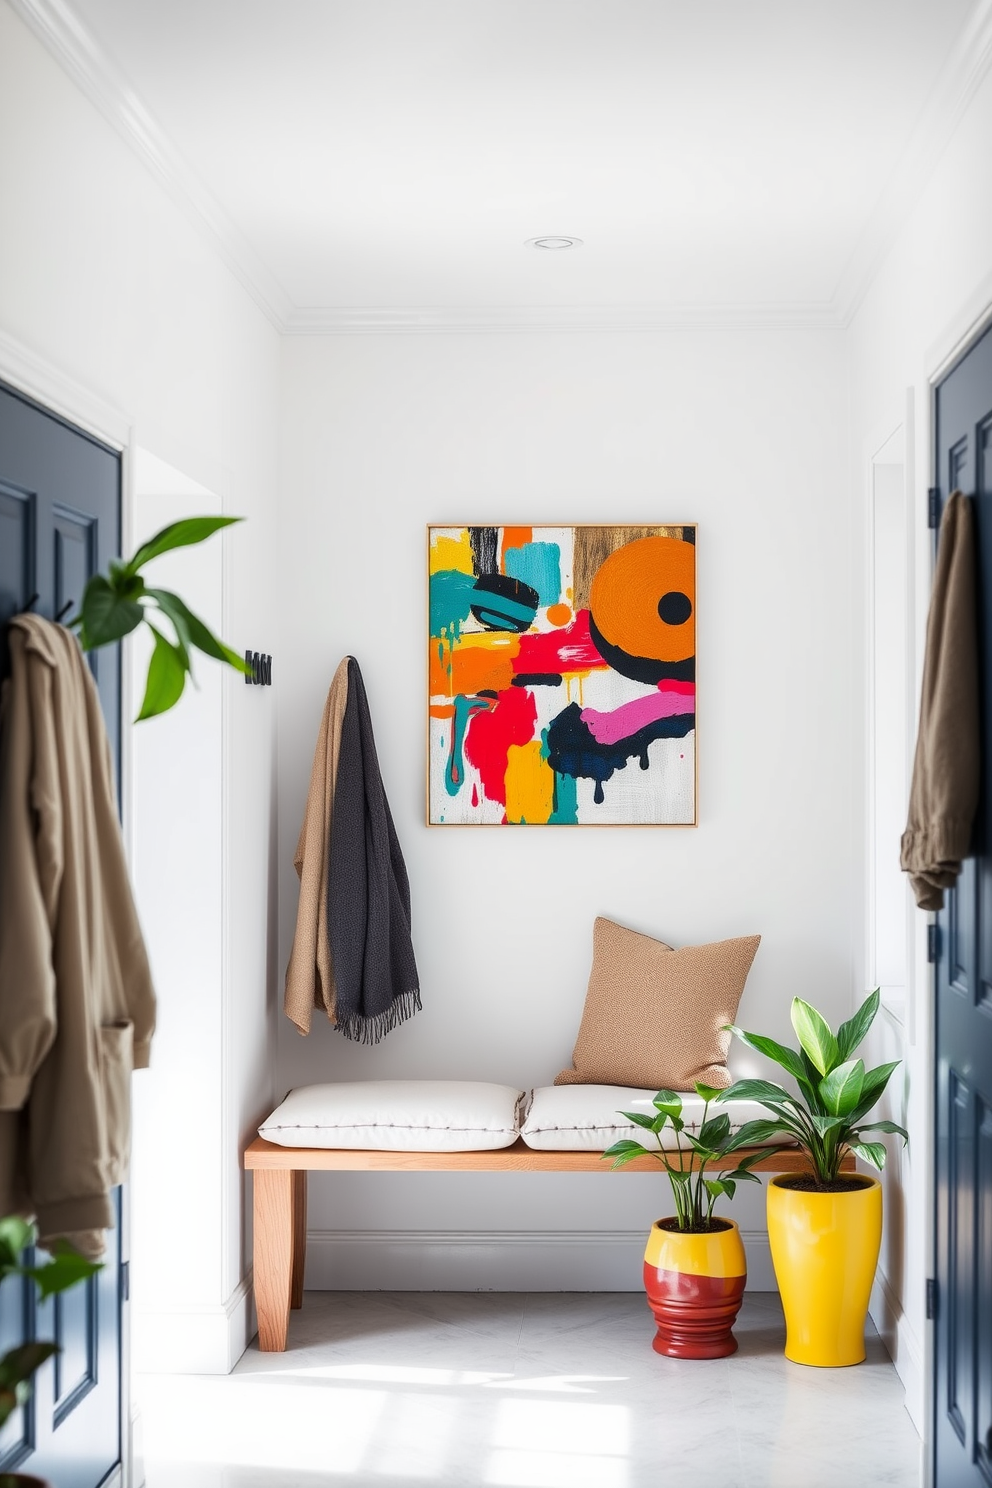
column 114, row 306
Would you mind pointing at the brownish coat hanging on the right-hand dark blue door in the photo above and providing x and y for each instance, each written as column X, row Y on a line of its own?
column 947, row 770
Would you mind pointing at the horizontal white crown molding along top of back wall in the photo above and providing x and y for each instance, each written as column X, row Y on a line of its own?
column 474, row 319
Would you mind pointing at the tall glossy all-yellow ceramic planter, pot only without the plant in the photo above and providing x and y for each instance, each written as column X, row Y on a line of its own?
column 825, row 1251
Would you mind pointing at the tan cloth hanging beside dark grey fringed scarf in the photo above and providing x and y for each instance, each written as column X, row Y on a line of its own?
column 310, row 977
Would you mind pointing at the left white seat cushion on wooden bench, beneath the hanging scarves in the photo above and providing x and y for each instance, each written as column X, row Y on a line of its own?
column 399, row 1117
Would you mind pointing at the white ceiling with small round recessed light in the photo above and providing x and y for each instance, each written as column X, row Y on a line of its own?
column 381, row 163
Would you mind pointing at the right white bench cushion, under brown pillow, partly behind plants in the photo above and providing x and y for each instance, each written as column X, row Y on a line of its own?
column 585, row 1118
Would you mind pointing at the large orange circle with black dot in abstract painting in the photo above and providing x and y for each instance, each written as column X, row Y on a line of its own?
column 636, row 587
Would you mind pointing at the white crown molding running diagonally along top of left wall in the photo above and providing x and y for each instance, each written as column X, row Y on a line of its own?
column 102, row 81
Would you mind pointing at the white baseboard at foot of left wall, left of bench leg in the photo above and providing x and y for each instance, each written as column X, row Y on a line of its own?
column 197, row 1340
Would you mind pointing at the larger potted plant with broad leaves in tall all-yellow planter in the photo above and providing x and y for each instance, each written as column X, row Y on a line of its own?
column 825, row 1227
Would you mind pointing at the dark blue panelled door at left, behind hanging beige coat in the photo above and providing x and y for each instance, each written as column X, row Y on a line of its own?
column 60, row 522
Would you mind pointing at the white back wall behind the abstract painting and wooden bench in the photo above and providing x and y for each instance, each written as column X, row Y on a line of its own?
column 741, row 434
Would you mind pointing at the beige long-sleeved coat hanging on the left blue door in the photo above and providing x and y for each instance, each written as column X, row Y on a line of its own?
column 77, row 999
